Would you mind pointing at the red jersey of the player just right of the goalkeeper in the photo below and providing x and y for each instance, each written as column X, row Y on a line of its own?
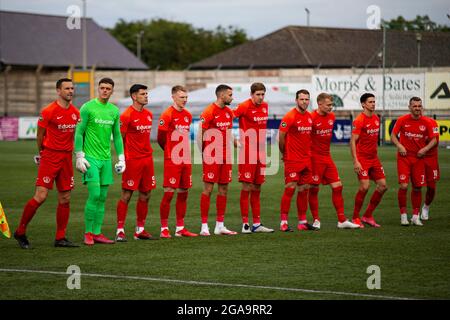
column 136, row 127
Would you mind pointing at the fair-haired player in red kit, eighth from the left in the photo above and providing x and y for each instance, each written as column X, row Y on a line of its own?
column 324, row 170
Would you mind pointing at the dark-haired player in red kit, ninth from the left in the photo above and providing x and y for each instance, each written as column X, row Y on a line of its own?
column 367, row 165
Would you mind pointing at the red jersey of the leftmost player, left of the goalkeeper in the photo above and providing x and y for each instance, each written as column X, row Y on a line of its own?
column 60, row 126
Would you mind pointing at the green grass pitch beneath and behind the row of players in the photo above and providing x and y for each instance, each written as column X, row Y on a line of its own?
column 414, row 261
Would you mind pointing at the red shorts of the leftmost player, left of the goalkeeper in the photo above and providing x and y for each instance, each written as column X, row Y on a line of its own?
column 55, row 166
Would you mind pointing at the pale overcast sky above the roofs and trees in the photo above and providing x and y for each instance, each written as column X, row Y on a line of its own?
column 256, row 17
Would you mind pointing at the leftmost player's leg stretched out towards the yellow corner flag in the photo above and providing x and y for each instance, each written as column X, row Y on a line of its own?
column 40, row 195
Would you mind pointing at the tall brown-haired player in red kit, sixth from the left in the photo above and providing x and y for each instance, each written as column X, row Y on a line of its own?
column 253, row 115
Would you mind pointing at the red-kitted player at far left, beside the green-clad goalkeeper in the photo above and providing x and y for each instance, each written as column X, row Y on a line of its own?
column 55, row 140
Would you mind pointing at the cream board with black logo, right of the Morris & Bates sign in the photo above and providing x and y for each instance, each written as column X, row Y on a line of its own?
column 437, row 90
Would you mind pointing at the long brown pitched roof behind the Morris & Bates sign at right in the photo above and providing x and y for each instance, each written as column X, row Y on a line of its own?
column 313, row 47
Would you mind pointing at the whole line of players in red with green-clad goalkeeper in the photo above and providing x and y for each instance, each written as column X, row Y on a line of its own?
column 304, row 142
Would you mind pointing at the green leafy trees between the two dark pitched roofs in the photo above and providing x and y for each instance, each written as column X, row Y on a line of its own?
column 169, row 45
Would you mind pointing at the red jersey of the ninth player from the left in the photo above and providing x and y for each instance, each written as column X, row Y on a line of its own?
column 368, row 129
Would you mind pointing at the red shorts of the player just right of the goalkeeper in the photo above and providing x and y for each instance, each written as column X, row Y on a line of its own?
column 139, row 175
